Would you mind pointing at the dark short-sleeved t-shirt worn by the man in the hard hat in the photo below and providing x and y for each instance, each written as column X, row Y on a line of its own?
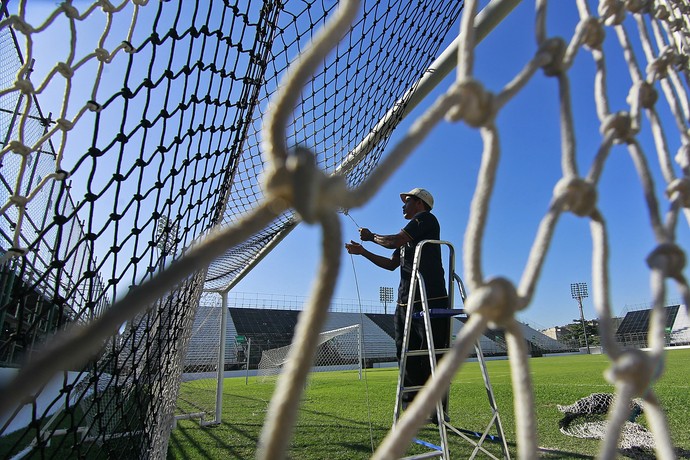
column 423, row 226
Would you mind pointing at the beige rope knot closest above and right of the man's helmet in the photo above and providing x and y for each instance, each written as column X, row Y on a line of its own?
column 475, row 104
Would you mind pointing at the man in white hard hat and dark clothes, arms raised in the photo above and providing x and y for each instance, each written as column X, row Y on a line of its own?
column 422, row 225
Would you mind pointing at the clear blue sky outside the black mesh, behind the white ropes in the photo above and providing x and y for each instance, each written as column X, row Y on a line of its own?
column 447, row 164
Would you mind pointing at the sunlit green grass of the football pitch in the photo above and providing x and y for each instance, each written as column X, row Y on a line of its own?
column 338, row 421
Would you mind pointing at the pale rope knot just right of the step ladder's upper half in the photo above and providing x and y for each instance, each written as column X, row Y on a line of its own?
column 497, row 301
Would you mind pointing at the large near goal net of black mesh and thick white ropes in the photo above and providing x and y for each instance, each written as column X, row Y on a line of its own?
column 134, row 135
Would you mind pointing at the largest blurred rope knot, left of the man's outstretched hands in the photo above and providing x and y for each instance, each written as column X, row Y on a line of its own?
column 303, row 185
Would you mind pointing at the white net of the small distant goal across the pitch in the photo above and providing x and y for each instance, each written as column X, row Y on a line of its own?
column 339, row 349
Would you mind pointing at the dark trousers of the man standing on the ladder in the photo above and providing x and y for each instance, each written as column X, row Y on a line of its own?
column 417, row 368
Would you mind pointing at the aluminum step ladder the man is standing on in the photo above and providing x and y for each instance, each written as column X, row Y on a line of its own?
column 475, row 439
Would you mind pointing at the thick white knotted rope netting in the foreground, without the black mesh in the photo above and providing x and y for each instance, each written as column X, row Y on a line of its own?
column 662, row 28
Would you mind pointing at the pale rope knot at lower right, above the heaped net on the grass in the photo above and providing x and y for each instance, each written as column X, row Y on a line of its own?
column 633, row 367
